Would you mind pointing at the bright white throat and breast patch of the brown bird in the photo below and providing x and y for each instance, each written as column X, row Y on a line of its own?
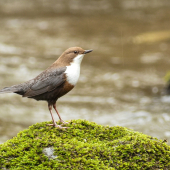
column 73, row 70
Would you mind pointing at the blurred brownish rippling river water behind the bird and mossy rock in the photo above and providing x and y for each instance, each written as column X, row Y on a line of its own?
column 121, row 81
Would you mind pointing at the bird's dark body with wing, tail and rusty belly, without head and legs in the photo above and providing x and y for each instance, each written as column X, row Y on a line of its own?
column 46, row 86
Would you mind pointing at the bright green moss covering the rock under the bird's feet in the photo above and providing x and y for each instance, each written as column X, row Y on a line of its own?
column 84, row 145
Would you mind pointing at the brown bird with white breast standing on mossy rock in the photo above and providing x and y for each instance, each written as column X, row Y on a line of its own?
column 53, row 83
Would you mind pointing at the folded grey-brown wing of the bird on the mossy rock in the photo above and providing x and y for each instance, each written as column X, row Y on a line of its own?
column 46, row 81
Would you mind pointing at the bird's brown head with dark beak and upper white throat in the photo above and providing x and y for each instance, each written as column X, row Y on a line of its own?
column 73, row 54
